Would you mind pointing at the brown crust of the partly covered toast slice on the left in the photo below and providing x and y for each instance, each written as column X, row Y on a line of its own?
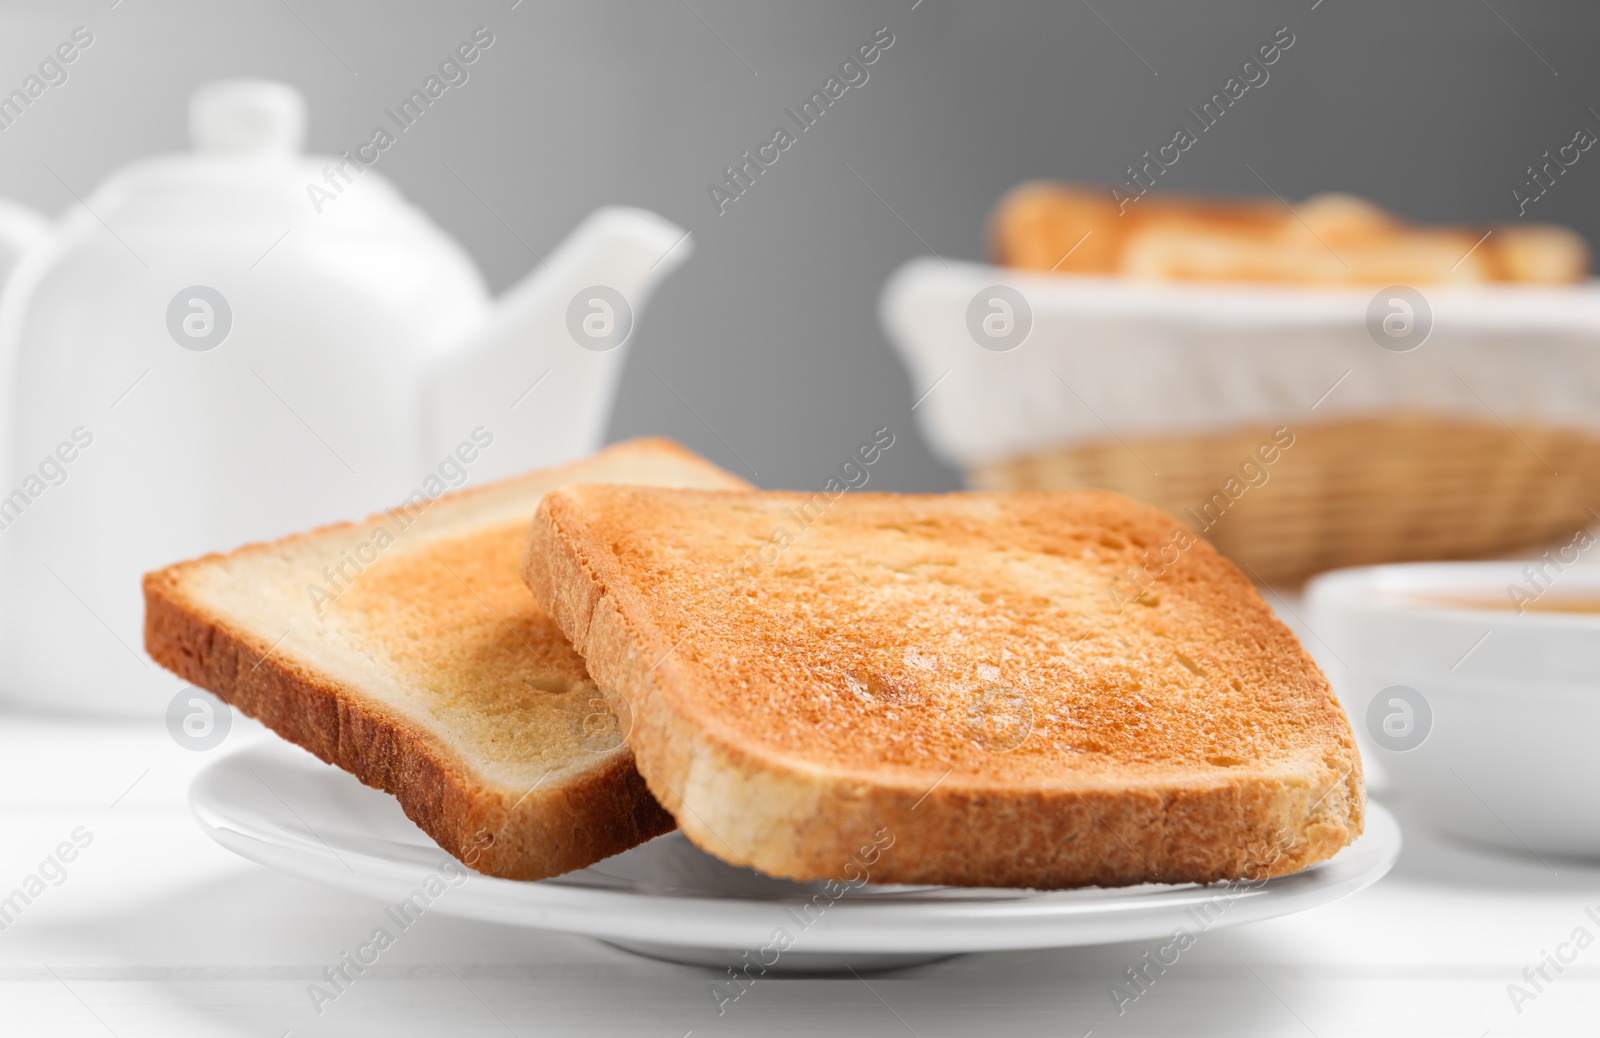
column 570, row 821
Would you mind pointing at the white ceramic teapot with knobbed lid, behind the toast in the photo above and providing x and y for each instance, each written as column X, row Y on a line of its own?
column 246, row 341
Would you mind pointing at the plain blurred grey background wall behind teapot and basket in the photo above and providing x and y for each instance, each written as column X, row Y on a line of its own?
column 770, row 333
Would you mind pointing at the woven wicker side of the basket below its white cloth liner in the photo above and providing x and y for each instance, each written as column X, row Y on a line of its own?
column 1358, row 492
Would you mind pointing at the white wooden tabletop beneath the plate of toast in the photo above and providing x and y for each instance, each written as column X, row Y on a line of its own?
column 158, row 932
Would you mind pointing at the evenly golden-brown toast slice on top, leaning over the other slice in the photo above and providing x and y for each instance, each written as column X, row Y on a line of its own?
column 1002, row 690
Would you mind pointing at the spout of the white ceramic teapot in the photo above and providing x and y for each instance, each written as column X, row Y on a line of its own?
column 538, row 377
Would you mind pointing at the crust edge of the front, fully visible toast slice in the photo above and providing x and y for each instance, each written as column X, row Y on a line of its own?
column 799, row 820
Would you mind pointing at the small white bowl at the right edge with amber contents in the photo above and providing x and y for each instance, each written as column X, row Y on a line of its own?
column 1482, row 717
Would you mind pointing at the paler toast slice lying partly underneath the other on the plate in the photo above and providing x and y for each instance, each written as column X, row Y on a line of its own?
column 406, row 650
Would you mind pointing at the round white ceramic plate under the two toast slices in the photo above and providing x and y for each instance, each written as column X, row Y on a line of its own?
column 281, row 807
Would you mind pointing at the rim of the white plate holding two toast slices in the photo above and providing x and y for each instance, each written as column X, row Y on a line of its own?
column 990, row 922
